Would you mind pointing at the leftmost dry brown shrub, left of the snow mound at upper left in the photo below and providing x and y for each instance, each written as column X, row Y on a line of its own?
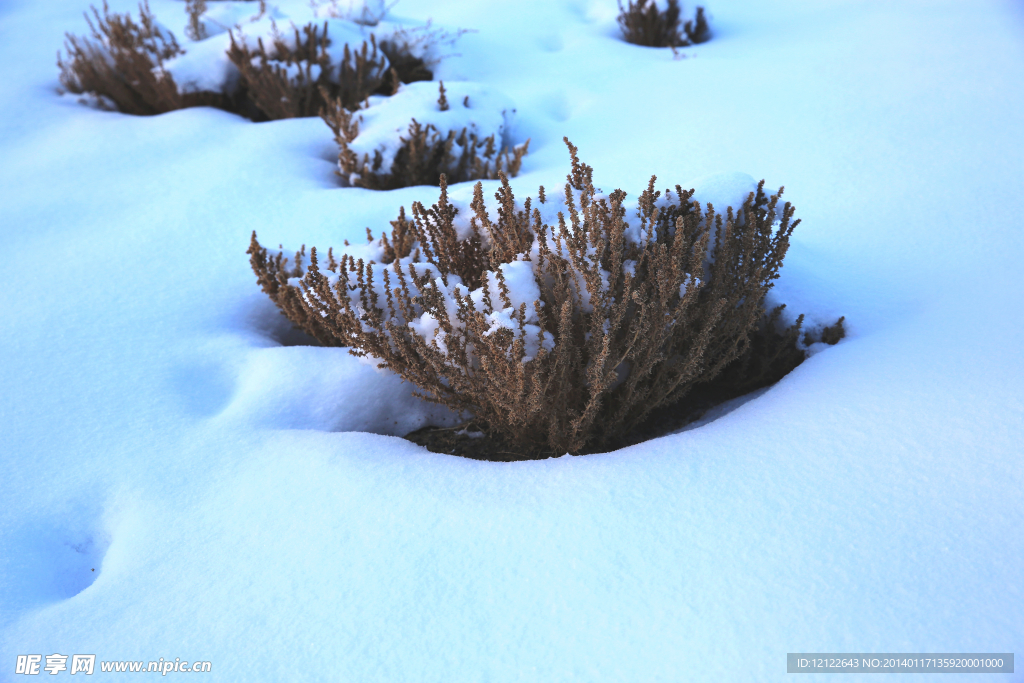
column 123, row 62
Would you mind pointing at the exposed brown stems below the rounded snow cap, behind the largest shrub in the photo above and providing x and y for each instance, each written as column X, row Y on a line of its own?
column 426, row 154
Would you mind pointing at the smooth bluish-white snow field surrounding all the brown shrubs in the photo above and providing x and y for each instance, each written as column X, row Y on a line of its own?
column 179, row 481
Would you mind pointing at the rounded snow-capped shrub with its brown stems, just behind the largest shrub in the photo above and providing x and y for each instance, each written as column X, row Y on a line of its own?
column 464, row 139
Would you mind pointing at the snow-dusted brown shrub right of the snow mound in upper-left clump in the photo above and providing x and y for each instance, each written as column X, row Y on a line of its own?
column 298, row 74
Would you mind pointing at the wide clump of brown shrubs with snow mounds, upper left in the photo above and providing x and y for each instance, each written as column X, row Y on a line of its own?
column 240, row 61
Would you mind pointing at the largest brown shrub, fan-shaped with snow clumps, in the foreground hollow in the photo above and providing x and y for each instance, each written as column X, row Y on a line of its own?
column 561, row 333
